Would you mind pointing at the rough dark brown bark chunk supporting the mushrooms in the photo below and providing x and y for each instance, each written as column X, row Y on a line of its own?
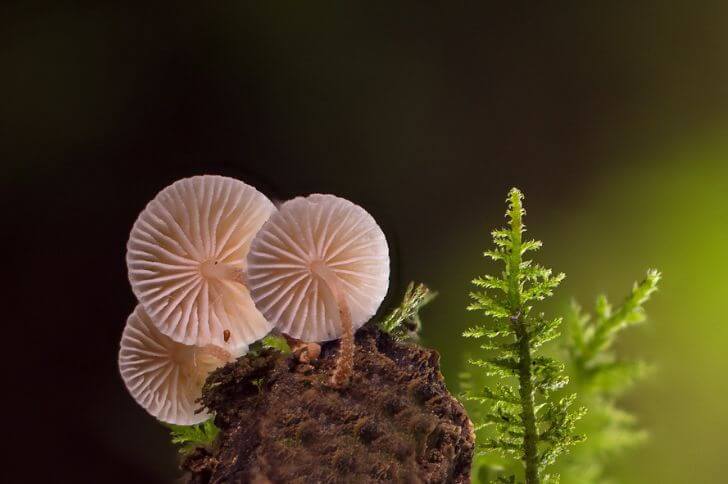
column 281, row 421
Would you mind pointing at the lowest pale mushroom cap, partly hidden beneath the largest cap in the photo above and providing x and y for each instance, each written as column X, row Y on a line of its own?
column 163, row 376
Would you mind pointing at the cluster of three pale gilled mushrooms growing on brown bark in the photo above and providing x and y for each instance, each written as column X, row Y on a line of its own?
column 215, row 267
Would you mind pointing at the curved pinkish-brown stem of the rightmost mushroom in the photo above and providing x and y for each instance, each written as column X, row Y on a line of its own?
column 345, row 361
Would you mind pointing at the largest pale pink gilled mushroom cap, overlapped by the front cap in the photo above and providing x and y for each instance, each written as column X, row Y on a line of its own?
column 186, row 255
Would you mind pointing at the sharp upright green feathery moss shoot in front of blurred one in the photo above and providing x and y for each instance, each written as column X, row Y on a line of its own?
column 528, row 425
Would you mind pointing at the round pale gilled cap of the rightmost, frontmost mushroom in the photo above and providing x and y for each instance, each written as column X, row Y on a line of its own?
column 318, row 229
